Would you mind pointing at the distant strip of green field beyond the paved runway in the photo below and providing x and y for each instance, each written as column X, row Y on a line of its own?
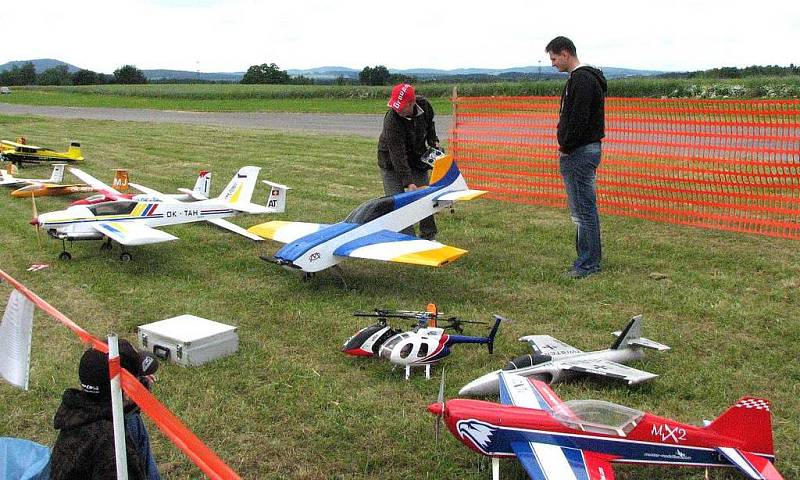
column 363, row 99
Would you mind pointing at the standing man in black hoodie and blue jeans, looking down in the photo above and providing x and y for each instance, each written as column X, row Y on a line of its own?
column 581, row 126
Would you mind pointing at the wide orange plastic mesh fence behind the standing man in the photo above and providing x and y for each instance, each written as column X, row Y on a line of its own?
column 723, row 164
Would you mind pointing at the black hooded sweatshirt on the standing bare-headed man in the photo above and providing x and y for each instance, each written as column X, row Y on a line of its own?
column 582, row 115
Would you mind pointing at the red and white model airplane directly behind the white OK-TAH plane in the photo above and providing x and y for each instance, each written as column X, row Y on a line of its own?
column 202, row 188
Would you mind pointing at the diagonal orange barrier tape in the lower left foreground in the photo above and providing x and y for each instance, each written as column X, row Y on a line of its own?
column 169, row 424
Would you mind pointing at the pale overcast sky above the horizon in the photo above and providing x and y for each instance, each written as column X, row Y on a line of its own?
column 227, row 36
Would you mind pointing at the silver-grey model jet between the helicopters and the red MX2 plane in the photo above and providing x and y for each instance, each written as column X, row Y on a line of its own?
column 554, row 361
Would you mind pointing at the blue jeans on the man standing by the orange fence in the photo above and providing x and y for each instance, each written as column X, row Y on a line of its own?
column 578, row 172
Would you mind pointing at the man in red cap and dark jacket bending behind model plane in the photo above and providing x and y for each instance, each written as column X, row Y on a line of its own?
column 408, row 132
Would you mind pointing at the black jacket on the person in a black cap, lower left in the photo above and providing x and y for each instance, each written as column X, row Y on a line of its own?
column 84, row 449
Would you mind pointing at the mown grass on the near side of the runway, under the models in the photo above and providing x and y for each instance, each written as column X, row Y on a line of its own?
column 290, row 405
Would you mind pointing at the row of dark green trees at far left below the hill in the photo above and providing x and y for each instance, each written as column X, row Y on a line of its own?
column 60, row 75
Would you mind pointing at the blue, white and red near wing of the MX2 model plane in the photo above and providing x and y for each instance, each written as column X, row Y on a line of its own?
column 545, row 462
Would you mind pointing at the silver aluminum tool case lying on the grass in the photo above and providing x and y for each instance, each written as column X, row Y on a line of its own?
column 188, row 340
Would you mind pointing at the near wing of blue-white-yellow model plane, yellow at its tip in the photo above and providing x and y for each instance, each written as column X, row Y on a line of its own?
column 391, row 246
